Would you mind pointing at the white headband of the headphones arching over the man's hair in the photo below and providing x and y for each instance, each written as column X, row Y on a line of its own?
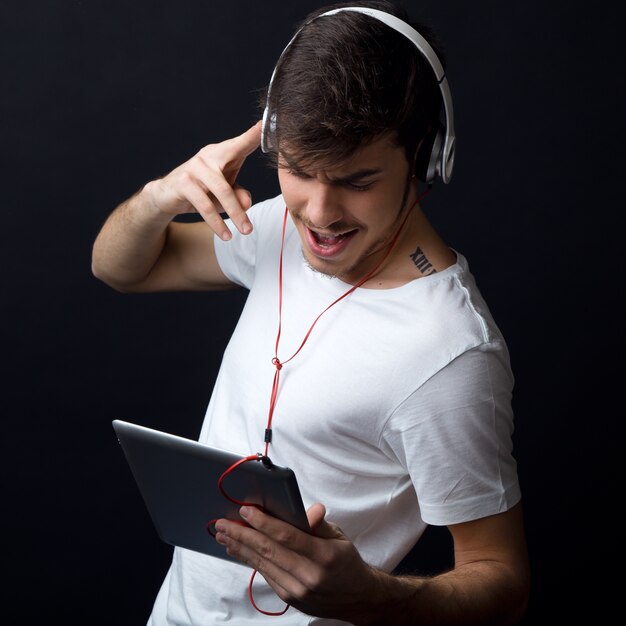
column 445, row 146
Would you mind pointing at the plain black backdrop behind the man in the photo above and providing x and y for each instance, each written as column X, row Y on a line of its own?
column 99, row 97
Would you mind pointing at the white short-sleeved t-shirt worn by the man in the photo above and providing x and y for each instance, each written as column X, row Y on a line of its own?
column 395, row 414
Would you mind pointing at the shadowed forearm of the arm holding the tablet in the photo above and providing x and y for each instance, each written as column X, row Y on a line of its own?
column 484, row 594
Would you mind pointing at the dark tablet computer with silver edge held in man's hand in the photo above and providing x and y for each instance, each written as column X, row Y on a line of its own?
column 178, row 480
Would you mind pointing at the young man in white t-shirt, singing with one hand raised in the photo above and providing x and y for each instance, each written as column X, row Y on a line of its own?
column 364, row 337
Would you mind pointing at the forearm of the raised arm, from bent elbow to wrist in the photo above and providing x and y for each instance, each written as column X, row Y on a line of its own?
column 130, row 242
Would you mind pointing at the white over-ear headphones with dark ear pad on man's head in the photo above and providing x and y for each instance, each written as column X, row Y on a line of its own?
column 436, row 154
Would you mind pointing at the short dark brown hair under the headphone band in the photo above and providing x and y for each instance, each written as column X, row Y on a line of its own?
column 347, row 80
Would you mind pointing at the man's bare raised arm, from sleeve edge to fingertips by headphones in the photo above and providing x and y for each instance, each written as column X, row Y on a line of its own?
column 140, row 248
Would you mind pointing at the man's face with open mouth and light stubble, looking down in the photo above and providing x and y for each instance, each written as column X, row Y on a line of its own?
column 347, row 214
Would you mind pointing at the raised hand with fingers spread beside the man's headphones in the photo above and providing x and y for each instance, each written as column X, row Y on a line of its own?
column 207, row 184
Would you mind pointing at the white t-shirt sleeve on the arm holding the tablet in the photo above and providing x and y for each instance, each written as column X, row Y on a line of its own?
column 454, row 437
